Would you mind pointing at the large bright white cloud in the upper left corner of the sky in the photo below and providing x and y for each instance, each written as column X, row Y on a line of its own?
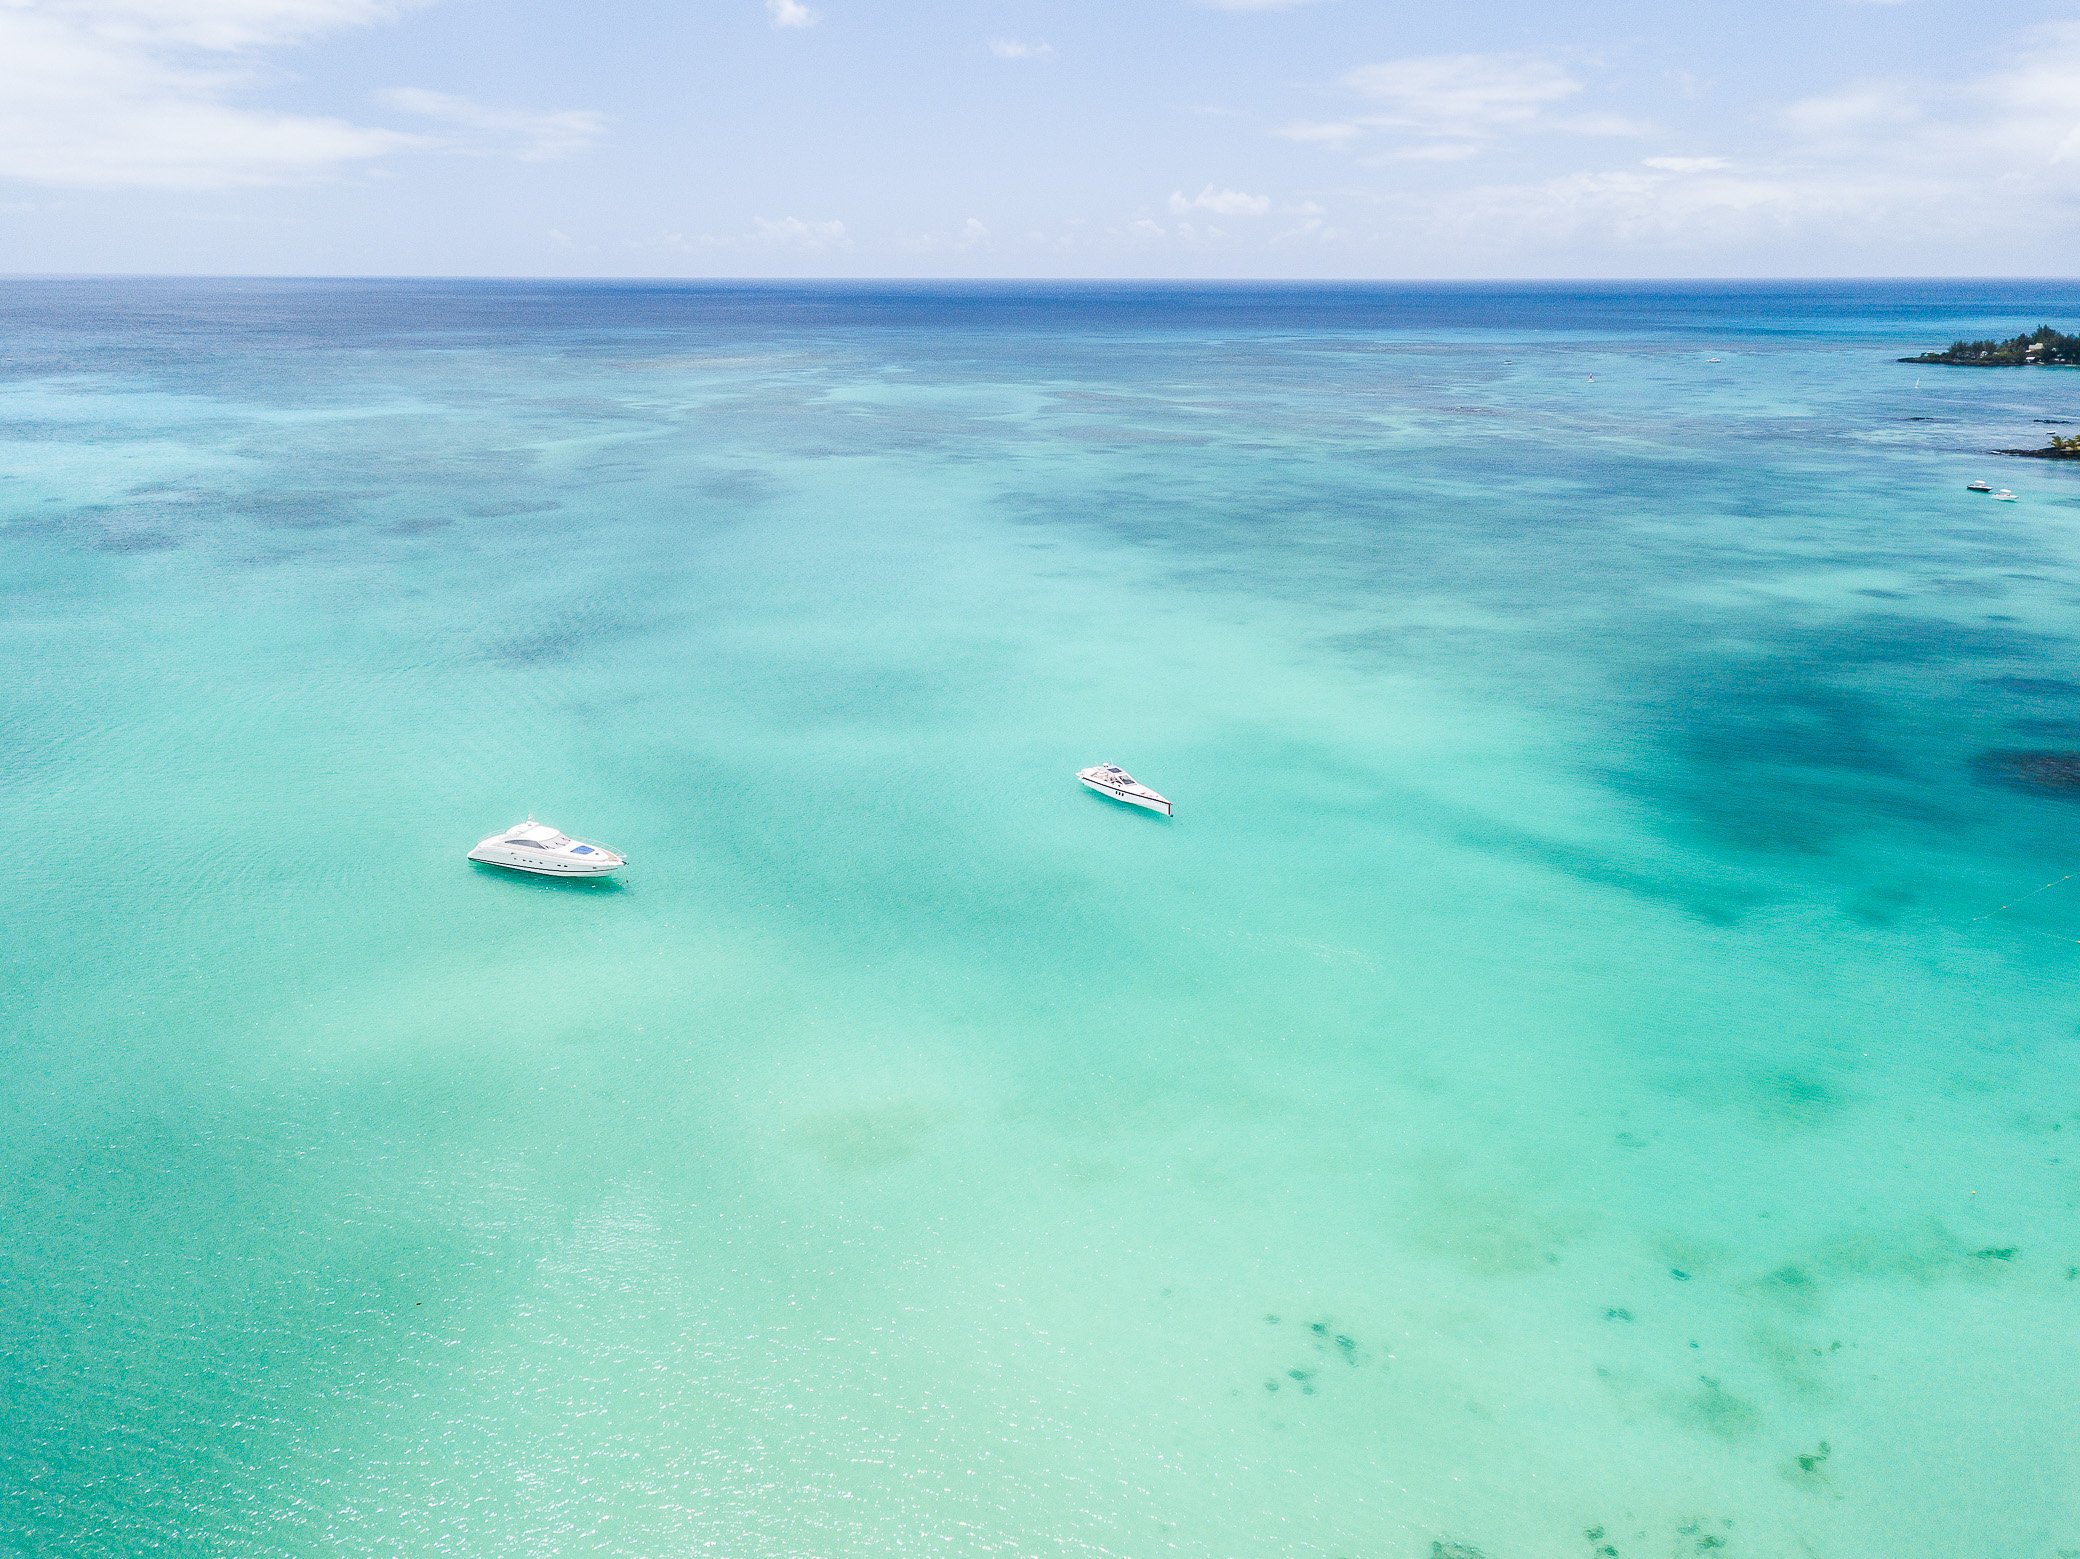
column 107, row 95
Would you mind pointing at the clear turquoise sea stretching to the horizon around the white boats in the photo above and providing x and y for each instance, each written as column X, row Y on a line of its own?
column 1555, row 1088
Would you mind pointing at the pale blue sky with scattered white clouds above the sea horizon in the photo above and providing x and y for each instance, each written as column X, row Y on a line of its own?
column 1029, row 138
